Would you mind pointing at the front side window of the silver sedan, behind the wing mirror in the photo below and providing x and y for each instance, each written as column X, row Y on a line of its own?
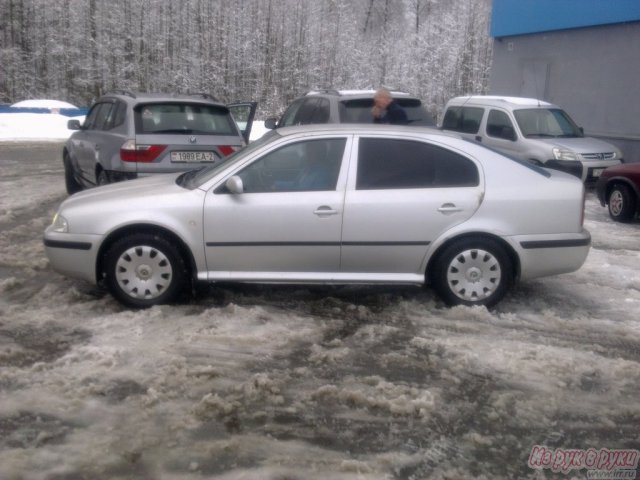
column 310, row 165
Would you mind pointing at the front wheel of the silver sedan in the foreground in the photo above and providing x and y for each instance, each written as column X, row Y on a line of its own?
column 143, row 270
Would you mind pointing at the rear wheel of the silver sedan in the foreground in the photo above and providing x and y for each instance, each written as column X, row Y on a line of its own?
column 472, row 272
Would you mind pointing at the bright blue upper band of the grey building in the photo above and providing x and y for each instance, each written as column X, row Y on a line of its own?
column 519, row 17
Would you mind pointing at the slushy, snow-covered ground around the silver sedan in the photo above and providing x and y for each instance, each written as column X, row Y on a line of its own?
column 297, row 383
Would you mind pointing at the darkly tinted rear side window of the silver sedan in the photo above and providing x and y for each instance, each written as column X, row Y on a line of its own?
column 385, row 164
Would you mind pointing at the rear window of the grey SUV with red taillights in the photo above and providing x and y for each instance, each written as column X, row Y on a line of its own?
column 186, row 118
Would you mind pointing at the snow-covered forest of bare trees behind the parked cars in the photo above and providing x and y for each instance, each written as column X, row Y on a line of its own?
column 270, row 51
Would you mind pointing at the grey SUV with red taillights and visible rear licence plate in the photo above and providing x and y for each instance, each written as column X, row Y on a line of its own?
column 126, row 135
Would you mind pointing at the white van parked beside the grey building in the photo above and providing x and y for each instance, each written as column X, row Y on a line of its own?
column 532, row 130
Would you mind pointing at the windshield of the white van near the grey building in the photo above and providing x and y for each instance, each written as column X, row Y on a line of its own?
column 546, row 123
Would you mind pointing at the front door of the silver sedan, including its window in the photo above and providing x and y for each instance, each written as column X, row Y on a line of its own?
column 285, row 220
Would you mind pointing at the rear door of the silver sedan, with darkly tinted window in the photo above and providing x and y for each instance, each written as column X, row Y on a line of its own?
column 403, row 195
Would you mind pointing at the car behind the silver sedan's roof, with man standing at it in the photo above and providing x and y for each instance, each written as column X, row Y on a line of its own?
column 345, row 106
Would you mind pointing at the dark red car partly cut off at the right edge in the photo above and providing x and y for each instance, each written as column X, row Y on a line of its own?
column 619, row 188
